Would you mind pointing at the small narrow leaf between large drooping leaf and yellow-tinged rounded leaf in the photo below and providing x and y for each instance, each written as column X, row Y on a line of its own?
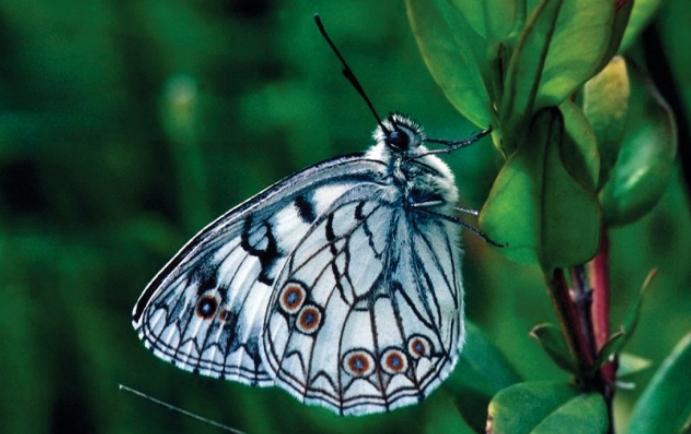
column 580, row 151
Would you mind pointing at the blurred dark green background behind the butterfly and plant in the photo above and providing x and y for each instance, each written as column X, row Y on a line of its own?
column 126, row 125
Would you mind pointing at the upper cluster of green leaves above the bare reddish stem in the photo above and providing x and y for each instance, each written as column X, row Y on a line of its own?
column 624, row 119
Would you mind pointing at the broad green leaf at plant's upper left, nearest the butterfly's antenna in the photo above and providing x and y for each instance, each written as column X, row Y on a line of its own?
column 450, row 58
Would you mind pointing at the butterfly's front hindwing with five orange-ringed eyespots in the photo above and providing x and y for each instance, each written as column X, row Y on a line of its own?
column 366, row 314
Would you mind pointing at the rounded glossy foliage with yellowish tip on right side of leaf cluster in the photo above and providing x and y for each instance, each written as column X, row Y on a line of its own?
column 637, row 136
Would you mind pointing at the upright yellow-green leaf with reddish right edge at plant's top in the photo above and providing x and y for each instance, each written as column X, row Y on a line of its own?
column 579, row 44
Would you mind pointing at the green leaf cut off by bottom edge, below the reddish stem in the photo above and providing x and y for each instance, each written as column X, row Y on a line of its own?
column 545, row 407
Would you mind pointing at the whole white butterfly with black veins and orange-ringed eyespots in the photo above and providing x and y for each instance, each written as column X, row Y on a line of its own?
column 340, row 284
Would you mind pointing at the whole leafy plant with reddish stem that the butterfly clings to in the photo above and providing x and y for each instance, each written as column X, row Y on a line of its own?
column 585, row 150
